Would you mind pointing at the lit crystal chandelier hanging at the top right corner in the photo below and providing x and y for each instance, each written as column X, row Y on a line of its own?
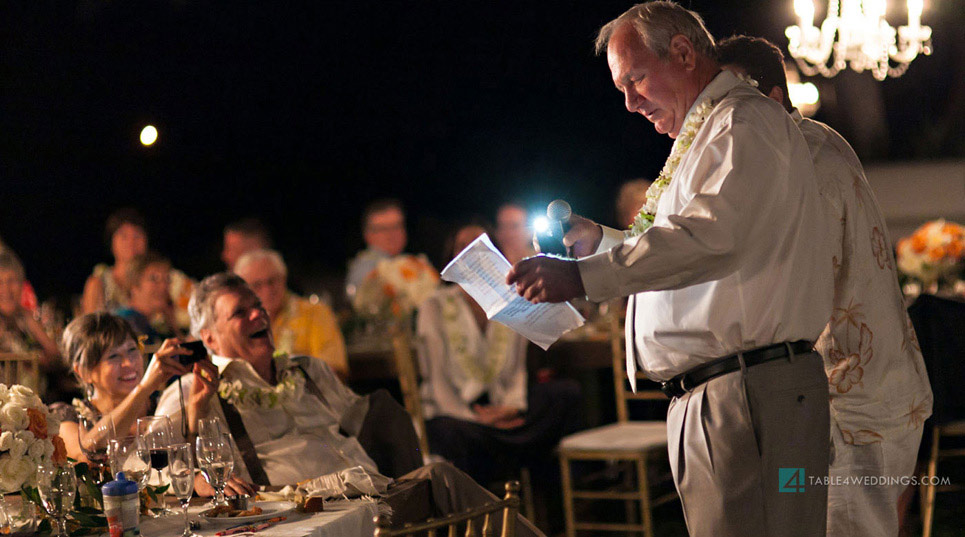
column 856, row 32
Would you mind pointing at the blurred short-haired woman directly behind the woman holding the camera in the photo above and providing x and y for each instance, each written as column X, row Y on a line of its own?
column 150, row 310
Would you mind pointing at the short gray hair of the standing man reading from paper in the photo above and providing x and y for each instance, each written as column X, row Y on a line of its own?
column 656, row 23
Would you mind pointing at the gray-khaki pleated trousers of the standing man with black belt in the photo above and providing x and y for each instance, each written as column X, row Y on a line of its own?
column 737, row 444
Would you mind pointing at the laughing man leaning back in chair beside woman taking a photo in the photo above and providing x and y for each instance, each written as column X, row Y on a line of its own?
column 299, row 433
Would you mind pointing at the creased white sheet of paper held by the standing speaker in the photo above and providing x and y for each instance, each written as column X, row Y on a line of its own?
column 481, row 270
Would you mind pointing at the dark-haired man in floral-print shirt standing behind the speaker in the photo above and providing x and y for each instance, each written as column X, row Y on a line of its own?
column 880, row 395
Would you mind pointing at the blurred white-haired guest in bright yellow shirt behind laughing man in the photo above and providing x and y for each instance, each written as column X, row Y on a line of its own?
column 300, row 327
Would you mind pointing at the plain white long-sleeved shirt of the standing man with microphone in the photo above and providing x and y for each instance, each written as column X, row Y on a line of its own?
column 738, row 256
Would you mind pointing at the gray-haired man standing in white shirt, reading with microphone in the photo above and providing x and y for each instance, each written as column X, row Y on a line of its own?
column 729, row 274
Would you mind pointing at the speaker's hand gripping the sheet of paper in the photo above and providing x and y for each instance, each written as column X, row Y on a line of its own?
column 546, row 279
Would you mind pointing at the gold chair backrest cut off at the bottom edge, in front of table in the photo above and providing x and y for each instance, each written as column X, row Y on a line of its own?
column 476, row 522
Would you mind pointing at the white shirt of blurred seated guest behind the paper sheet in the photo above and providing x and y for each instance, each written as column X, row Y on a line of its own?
column 460, row 362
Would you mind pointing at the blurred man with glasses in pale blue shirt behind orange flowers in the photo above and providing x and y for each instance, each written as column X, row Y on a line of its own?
column 383, row 228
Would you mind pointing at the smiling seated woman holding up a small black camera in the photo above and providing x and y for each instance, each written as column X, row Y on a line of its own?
column 106, row 358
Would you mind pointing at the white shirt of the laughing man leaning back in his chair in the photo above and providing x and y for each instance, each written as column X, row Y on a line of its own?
column 295, row 441
